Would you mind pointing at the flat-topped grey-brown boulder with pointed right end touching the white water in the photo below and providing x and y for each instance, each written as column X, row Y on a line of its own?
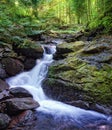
column 16, row 105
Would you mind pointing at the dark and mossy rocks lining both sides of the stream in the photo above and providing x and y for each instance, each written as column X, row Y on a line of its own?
column 81, row 75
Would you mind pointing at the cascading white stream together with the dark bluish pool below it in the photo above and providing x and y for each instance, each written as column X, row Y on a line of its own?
column 65, row 117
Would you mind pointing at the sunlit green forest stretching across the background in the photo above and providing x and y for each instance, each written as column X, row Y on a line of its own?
column 54, row 14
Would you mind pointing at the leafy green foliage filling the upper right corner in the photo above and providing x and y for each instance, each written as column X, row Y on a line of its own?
column 103, row 16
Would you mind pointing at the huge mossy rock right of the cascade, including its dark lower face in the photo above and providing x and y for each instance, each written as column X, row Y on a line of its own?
column 84, row 74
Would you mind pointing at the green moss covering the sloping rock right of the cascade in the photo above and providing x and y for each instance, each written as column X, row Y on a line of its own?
column 95, row 83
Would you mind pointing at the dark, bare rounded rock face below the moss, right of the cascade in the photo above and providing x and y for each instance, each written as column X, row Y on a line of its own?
column 58, row 89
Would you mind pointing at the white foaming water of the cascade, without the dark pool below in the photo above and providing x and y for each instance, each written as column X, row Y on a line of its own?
column 32, row 81
